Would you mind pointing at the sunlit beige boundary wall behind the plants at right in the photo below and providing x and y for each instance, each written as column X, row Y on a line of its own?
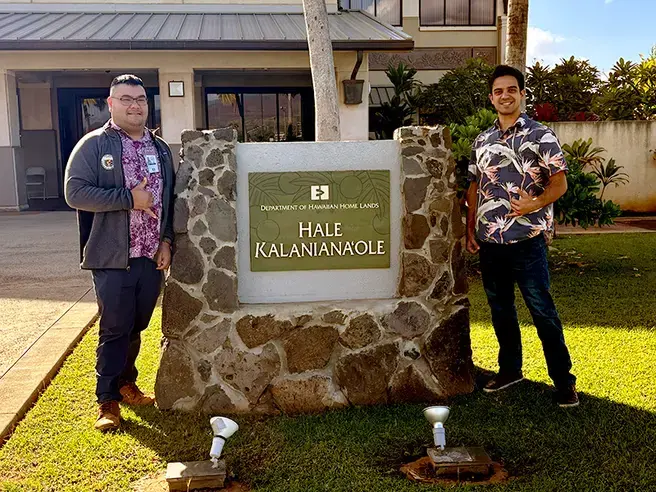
column 633, row 145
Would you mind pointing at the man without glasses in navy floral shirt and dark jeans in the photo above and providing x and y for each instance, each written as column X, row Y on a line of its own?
column 516, row 173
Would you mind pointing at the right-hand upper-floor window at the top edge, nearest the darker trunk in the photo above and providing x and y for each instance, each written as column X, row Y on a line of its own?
column 457, row 12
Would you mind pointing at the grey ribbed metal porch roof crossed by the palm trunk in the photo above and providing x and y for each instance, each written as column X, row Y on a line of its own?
column 47, row 30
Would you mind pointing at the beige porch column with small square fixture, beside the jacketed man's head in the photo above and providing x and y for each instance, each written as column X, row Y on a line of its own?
column 177, row 113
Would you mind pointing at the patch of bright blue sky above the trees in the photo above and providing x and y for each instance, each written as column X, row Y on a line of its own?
column 601, row 31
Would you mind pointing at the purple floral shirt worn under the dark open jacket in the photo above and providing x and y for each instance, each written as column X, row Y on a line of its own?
column 144, row 229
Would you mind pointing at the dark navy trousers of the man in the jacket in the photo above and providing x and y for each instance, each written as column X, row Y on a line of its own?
column 126, row 300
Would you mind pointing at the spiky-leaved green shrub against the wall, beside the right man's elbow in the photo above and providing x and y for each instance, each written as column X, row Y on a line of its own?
column 580, row 204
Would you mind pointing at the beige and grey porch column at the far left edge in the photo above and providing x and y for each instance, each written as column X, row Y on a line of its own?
column 12, row 185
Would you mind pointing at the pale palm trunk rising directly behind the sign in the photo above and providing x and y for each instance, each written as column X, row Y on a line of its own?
column 323, row 71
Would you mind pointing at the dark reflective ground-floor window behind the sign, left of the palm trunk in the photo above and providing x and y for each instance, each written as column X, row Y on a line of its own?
column 257, row 117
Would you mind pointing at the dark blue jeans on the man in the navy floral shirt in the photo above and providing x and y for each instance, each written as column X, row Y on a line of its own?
column 524, row 263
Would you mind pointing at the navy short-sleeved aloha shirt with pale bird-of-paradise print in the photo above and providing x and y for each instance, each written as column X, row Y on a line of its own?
column 523, row 157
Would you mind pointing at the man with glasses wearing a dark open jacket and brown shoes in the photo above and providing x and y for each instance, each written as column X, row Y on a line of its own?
column 120, row 179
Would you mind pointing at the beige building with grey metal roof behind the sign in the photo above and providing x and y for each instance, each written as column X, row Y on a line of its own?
column 205, row 64
